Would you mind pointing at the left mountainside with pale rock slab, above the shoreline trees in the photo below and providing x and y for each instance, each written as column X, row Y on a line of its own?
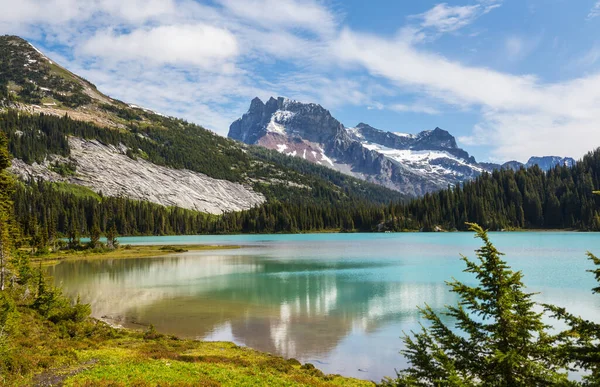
column 62, row 129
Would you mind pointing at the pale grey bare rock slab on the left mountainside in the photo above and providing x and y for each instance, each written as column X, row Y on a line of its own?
column 108, row 170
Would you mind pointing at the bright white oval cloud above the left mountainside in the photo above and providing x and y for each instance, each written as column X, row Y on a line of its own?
column 201, row 45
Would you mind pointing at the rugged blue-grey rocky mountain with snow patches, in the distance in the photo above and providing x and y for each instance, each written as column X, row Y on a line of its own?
column 411, row 164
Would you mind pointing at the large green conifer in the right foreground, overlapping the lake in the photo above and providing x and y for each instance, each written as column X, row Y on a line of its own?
column 503, row 341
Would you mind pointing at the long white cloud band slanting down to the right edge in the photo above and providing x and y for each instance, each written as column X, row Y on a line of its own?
column 521, row 115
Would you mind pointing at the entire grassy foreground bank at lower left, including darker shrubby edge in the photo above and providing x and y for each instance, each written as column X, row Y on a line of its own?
column 42, row 353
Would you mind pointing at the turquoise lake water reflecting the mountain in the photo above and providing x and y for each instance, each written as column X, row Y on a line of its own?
column 340, row 301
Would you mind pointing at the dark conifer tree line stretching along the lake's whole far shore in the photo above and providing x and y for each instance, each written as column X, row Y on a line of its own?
column 526, row 199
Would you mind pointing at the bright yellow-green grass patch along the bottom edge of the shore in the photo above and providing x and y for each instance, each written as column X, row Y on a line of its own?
column 165, row 361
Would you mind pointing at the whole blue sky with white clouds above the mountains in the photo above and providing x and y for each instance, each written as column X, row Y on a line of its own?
column 509, row 78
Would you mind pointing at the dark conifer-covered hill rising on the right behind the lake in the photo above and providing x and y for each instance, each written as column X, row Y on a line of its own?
column 561, row 198
